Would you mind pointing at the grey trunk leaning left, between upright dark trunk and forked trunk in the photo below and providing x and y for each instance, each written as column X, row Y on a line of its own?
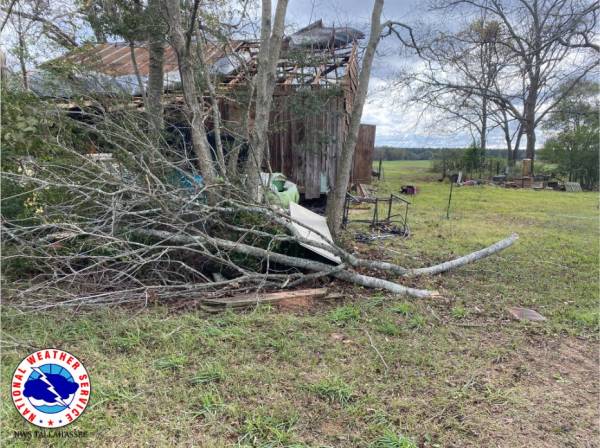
column 190, row 94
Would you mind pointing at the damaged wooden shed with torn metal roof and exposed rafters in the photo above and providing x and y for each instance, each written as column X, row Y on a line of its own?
column 317, row 78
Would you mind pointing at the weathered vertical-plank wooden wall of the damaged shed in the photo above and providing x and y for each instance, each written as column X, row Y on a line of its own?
column 305, row 141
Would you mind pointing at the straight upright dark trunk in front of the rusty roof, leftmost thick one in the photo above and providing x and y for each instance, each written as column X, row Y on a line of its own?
column 156, row 53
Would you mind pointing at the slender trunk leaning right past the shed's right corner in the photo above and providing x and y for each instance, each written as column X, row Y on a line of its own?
column 335, row 201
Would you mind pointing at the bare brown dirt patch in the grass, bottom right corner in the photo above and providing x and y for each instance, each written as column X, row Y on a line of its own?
column 554, row 388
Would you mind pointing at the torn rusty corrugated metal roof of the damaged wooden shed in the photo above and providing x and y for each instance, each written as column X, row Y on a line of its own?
column 108, row 68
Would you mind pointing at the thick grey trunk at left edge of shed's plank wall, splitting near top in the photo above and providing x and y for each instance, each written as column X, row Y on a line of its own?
column 268, row 56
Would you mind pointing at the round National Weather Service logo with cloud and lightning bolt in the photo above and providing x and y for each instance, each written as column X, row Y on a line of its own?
column 50, row 388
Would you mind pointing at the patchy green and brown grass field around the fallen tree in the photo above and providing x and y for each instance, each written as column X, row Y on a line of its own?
column 371, row 370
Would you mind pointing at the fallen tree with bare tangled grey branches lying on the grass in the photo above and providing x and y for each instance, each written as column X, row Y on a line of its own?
column 93, row 233
